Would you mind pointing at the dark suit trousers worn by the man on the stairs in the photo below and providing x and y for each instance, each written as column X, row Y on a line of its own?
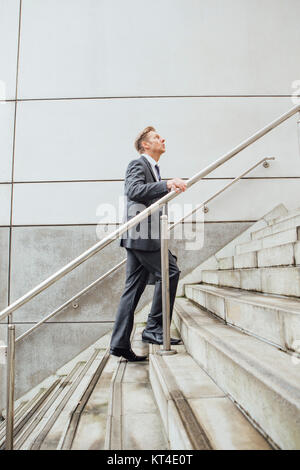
column 139, row 265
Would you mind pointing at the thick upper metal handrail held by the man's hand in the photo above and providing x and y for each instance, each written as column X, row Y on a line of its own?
column 142, row 215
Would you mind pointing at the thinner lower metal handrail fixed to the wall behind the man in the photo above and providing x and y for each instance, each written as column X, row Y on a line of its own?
column 119, row 265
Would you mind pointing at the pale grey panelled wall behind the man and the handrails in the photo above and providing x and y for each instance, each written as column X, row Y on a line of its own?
column 82, row 77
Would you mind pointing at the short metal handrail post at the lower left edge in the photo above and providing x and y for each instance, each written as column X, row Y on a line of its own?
column 10, row 391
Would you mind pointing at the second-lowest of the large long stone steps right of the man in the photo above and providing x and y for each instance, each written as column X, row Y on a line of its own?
column 273, row 319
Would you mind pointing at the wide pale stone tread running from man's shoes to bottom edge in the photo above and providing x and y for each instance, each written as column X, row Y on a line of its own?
column 133, row 421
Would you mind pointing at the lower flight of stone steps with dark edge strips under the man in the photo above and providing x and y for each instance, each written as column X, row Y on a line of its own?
column 99, row 402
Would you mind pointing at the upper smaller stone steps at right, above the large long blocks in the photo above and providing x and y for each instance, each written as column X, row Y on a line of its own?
column 269, row 262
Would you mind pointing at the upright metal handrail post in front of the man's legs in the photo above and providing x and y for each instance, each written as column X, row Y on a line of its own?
column 165, row 285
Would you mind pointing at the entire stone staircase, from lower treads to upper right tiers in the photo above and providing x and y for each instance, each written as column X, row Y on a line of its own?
column 233, row 384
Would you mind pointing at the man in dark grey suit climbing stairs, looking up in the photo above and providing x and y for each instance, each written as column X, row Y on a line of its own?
column 143, row 186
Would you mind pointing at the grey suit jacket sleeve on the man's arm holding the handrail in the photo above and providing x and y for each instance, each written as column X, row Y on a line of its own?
column 136, row 188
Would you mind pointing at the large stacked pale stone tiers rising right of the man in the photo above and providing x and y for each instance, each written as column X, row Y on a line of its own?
column 241, row 324
